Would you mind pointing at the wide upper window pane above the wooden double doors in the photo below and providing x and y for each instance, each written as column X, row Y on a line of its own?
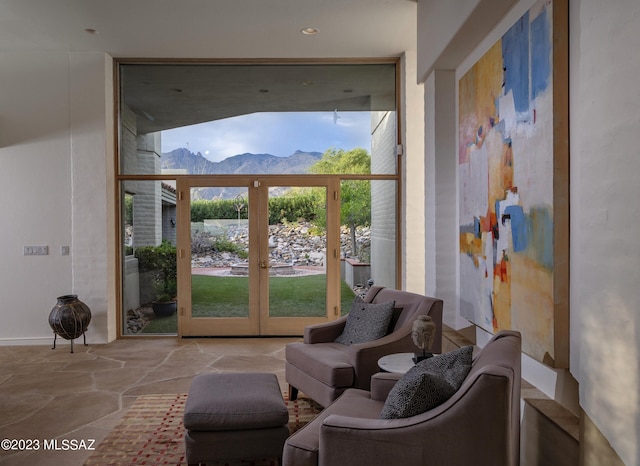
column 275, row 119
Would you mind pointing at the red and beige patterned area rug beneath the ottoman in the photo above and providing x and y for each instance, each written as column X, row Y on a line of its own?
column 152, row 433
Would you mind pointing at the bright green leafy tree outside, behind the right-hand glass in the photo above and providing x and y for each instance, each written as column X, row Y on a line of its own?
column 355, row 195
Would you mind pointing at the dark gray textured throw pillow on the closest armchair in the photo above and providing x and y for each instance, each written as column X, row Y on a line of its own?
column 428, row 384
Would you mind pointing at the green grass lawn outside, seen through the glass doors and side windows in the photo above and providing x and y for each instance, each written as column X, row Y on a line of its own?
column 229, row 297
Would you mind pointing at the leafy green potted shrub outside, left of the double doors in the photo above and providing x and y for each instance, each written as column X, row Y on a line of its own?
column 161, row 260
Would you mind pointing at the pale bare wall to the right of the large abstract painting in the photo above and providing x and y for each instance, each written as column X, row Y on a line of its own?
column 605, row 297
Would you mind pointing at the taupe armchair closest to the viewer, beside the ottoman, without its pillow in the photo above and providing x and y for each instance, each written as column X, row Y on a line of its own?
column 479, row 425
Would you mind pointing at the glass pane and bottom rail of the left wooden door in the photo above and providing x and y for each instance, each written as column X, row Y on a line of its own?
column 221, row 276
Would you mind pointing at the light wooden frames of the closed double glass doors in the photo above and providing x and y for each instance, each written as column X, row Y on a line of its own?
column 258, row 322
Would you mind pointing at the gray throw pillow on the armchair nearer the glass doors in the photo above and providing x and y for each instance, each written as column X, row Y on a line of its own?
column 366, row 322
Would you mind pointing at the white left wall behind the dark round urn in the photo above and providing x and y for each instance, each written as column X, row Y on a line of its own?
column 56, row 161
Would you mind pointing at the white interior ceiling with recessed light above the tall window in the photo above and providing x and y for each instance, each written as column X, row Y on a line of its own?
column 211, row 28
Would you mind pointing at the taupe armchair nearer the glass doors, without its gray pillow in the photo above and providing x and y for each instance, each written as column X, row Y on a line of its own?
column 323, row 368
